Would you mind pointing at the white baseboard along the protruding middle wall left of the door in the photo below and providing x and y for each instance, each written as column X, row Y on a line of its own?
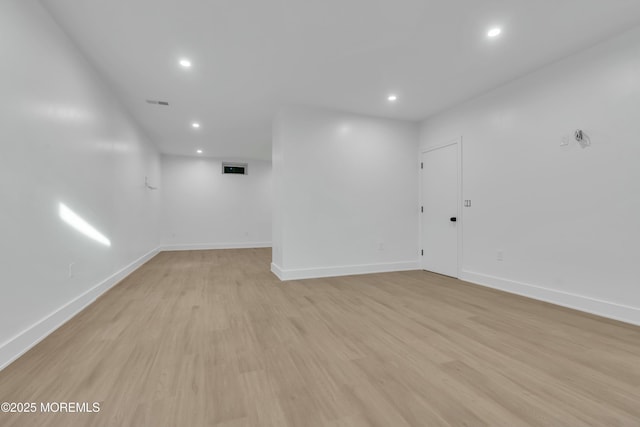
column 346, row 270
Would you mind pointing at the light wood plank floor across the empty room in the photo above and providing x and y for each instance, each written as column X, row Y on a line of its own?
column 211, row 338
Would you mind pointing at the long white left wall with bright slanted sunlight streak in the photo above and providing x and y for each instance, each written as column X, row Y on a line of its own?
column 64, row 139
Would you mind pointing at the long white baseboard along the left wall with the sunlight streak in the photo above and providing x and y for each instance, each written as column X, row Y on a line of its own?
column 21, row 343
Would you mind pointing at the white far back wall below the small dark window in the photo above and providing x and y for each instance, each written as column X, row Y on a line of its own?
column 204, row 209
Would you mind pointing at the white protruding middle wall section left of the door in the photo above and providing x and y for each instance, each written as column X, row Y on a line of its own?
column 347, row 189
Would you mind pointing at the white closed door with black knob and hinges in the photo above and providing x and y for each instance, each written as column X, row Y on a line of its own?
column 439, row 215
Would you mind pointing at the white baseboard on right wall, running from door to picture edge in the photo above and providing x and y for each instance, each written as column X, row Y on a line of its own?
column 623, row 313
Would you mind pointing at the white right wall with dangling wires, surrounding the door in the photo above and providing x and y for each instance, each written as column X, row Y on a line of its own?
column 567, row 218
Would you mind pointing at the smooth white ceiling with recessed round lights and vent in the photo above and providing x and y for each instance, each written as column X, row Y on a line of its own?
column 252, row 56
